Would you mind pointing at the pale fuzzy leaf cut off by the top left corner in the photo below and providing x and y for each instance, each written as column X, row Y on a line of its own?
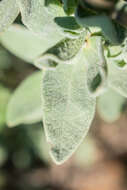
column 8, row 13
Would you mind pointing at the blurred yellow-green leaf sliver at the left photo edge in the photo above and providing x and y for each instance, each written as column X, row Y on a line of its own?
column 4, row 97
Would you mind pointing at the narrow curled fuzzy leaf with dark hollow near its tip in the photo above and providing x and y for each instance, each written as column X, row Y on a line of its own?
column 96, row 63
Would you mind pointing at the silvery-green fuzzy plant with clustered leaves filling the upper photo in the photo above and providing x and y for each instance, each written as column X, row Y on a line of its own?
column 80, row 48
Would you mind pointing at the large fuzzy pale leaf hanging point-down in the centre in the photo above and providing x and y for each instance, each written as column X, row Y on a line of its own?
column 68, row 109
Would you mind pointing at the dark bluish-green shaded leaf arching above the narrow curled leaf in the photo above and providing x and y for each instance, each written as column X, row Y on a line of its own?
column 98, row 24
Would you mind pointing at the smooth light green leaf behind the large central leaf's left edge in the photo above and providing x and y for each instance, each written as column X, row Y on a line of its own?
column 25, row 104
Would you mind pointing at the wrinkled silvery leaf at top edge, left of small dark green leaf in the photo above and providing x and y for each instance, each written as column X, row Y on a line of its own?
column 39, row 16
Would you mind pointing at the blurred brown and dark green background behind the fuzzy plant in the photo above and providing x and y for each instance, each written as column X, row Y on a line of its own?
column 100, row 163
